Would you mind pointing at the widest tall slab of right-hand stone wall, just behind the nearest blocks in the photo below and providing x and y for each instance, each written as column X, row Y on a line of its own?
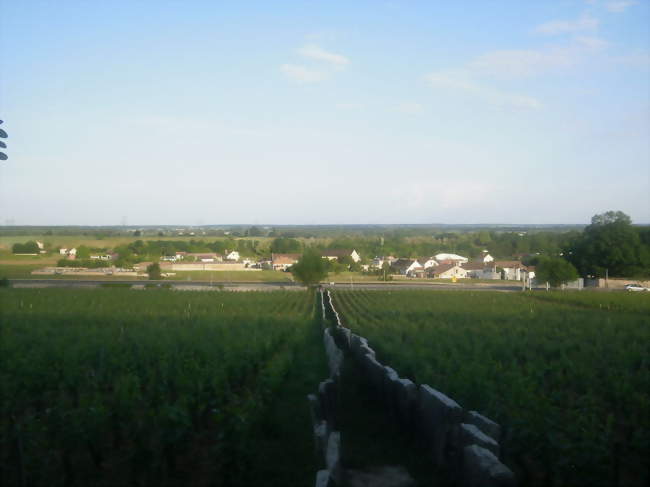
column 437, row 417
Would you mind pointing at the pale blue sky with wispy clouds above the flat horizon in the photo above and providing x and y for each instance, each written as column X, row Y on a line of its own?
column 324, row 112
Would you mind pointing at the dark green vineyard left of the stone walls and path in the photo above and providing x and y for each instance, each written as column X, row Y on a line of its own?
column 154, row 387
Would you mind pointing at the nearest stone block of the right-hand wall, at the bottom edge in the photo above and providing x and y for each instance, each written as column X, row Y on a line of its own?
column 481, row 468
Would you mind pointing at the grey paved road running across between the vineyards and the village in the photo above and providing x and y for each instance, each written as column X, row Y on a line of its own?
column 206, row 285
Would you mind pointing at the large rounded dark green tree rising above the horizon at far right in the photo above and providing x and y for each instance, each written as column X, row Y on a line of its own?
column 610, row 245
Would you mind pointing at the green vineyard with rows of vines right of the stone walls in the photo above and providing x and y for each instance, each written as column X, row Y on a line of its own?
column 566, row 374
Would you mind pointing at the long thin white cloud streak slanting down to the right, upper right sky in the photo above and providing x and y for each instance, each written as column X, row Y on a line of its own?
column 463, row 83
